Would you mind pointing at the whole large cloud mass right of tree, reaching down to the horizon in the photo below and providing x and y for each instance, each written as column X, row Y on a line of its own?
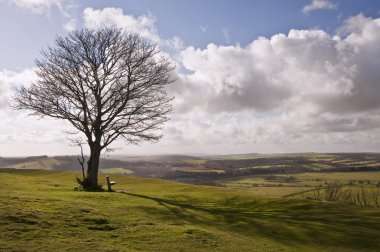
column 306, row 87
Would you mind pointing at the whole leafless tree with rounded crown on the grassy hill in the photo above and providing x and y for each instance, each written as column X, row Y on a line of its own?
column 107, row 83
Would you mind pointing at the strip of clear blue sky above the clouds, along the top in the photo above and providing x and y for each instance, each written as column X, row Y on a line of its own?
column 25, row 33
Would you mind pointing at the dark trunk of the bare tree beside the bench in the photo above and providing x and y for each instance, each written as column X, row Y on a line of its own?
column 91, row 182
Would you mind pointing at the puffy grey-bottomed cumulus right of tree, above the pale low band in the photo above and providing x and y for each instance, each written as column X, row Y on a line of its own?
column 332, row 73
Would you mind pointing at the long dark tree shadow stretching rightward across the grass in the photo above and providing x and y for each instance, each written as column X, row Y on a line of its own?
column 288, row 222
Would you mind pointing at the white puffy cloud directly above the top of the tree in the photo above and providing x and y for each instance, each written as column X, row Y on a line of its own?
column 143, row 25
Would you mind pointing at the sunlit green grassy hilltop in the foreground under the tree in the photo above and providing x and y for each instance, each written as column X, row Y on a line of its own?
column 39, row 211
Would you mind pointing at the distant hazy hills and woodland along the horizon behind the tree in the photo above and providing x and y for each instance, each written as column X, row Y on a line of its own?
column 203, row 169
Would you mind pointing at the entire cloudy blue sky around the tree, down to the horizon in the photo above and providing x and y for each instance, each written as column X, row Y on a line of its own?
column 253, row 76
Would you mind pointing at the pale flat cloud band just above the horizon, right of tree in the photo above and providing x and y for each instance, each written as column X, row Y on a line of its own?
column 244, row 131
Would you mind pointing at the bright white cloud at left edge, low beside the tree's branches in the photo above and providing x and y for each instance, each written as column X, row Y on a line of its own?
column 23, row 135
